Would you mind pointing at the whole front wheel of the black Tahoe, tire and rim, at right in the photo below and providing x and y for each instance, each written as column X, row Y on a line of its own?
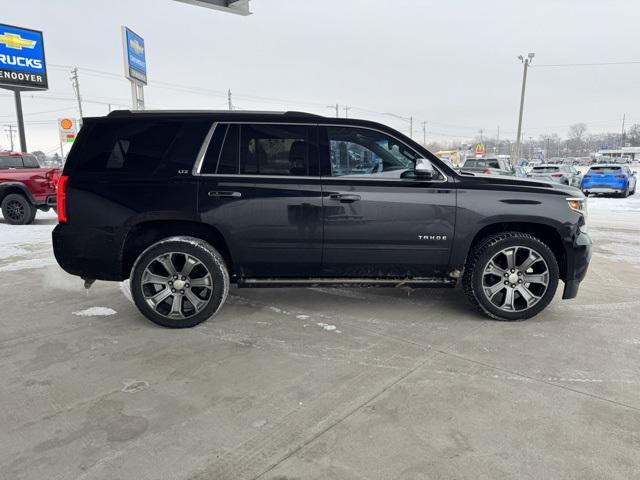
column 511, row 276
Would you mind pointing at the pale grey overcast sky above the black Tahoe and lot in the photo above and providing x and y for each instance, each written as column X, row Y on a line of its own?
column 451, row 63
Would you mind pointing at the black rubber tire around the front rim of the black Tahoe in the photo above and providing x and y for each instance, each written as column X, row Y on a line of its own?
column 484, row 251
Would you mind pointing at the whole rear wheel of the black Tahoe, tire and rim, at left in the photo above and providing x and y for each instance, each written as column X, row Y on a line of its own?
column 179, row 282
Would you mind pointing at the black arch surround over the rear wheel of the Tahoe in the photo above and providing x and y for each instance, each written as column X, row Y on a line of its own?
column 144, row 234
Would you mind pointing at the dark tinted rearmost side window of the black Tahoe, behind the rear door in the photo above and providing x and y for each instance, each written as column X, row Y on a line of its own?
column 145, row 147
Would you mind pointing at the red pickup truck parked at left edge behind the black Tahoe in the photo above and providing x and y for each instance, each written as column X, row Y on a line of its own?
column 25, row 187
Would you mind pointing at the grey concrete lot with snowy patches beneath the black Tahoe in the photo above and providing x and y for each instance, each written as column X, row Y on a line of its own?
column 409, row 385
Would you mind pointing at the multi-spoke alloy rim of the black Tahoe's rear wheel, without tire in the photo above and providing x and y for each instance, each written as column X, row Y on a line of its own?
column 177, row 285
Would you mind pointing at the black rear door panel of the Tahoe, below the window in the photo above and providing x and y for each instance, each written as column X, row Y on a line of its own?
column 273, row 226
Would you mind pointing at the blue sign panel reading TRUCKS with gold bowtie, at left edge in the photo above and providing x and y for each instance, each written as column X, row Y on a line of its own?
column 22, row 62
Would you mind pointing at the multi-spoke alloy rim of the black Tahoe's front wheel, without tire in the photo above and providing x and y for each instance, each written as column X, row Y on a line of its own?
column 515, row 279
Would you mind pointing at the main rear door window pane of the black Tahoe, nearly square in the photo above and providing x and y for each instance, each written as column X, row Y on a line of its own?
column 274, row 150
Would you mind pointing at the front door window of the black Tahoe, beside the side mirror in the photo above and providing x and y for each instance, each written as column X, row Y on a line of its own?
column 359, row 152
